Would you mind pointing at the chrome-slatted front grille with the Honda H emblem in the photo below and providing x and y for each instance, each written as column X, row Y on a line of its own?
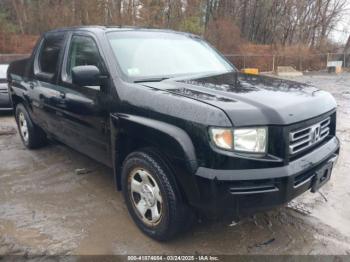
column 302, row 139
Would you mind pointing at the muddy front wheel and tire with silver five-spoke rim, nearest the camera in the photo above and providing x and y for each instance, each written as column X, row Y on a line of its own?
column 149, row 188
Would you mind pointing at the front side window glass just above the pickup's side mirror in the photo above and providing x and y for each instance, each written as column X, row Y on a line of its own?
column 82, row 51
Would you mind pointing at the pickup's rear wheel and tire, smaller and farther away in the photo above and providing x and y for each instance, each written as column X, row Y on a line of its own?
column 32, row 136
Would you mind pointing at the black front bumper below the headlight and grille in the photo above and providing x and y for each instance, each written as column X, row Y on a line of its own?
column 242, row 192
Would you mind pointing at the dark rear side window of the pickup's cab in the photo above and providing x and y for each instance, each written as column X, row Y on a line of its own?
column 49, row 53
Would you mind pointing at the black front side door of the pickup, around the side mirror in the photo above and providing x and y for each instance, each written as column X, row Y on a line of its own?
column 84, row 109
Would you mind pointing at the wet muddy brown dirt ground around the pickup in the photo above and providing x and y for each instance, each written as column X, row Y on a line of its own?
column 47, row 208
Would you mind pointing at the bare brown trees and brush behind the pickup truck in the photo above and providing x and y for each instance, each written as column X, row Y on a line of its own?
column 233, row 26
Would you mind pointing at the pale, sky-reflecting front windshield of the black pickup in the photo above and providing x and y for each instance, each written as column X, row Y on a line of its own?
column 146, row 55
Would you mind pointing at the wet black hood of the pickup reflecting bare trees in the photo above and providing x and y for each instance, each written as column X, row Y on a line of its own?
column 250, row 100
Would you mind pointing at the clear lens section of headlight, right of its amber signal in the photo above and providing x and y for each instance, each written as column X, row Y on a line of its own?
column 251, row 140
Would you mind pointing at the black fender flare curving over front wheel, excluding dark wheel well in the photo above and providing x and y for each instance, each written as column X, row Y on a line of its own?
column 163, row 136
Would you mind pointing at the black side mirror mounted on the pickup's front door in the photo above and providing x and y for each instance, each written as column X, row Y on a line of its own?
column 87, row 75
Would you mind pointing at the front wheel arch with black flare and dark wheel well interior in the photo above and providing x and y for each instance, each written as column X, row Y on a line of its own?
column 130, row 133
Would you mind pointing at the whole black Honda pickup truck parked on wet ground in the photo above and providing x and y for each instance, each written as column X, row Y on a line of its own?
column 184, row 132
